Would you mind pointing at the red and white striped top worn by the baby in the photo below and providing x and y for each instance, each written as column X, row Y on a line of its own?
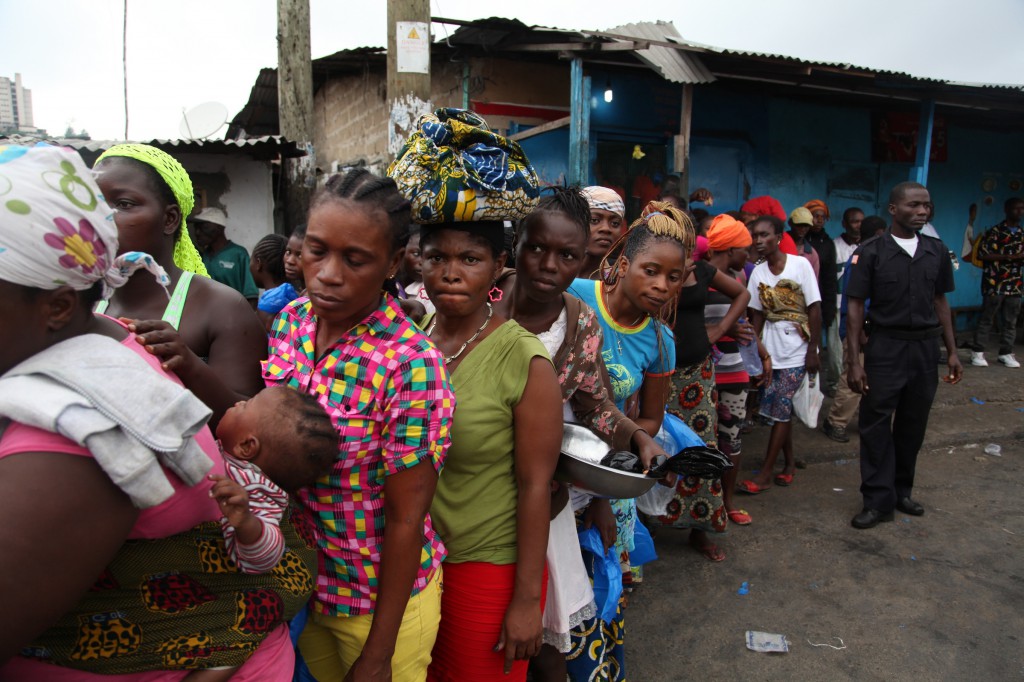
column 267, row 503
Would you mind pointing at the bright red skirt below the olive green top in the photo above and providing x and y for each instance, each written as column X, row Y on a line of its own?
column 475, row 600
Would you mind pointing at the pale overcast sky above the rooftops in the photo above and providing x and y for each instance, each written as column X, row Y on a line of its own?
column 186, row 53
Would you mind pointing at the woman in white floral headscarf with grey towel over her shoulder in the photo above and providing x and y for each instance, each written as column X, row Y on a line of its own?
column 100, row 448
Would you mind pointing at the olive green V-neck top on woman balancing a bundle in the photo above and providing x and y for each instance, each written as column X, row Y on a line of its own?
column 475, row 508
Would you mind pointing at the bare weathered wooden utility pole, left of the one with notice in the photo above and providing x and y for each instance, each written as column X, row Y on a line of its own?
column 295, row 107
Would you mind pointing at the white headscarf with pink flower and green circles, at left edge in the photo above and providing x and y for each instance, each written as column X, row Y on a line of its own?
column 56, row 229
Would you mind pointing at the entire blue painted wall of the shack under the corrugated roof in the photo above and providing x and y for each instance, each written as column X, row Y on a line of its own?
column 747, row 144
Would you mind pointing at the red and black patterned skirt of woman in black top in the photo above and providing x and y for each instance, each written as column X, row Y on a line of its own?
column 698, row 503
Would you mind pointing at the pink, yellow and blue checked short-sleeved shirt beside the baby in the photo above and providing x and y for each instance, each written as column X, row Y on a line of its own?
column 388, row 392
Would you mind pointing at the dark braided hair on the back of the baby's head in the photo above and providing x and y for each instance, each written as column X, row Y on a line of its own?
column 307, row 432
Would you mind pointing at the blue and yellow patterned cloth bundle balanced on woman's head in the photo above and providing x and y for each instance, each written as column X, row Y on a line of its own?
column 454, row 169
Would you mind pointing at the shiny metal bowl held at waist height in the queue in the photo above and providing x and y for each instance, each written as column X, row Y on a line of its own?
column 578, row 464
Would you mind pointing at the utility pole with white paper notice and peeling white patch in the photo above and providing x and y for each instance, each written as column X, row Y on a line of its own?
column 408, row 68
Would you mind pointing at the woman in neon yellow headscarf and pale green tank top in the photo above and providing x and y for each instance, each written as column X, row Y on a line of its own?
column 152, row 196
